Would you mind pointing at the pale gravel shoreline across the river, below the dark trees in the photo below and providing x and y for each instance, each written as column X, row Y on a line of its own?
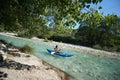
column 84, row 49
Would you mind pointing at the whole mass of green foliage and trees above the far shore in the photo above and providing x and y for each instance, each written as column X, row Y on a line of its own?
column 28, row 18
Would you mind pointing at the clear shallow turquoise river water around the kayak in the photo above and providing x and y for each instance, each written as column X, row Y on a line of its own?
column 81, row 66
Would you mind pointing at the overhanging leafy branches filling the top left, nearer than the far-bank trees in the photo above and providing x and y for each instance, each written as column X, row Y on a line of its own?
column 19, row 15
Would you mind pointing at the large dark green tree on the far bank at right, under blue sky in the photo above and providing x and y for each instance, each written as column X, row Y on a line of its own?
column 99, row 30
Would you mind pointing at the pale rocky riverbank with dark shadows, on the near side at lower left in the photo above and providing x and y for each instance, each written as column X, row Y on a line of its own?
column 16, row 65
